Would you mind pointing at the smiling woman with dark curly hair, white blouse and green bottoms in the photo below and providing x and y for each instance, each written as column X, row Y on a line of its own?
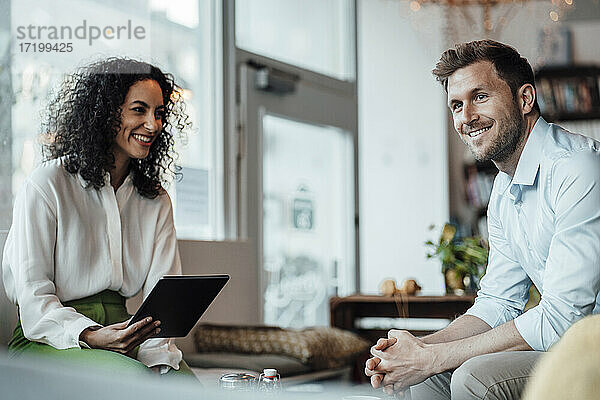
column 93, row 225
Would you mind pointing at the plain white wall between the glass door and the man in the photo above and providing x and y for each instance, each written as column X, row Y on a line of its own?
column 403, row 153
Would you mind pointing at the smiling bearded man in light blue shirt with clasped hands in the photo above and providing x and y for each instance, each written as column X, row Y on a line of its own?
column 544, row 228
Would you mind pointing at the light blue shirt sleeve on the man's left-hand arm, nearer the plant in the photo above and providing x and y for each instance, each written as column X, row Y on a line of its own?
column 505, row 286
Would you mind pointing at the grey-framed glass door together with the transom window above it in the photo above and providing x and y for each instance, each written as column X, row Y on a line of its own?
column 291, row 151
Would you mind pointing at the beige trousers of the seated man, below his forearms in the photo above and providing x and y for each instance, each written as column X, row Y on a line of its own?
column 487, row 377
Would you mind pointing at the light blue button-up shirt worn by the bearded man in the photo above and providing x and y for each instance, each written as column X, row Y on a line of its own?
column 544, row 227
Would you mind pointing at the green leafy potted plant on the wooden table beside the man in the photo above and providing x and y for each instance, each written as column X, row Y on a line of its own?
column 463, row 259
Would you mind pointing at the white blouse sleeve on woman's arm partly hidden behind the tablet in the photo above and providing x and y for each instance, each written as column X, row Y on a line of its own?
column 165, row 261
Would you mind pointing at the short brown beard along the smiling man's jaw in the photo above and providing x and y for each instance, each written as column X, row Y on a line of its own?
column 510, row 133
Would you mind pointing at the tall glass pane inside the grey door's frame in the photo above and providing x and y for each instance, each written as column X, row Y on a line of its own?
column 307, row 219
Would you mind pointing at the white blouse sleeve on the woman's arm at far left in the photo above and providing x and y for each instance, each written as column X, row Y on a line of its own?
column 29, row 267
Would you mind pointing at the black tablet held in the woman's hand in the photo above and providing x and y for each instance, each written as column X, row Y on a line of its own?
column 178, row 302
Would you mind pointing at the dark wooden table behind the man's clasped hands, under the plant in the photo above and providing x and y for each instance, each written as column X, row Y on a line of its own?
column 345, row 310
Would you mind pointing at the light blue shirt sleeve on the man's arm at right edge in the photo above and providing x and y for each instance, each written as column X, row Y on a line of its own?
column 571, row 279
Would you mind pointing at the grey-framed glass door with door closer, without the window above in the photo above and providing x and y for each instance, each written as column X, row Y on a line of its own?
column 300, row 183
